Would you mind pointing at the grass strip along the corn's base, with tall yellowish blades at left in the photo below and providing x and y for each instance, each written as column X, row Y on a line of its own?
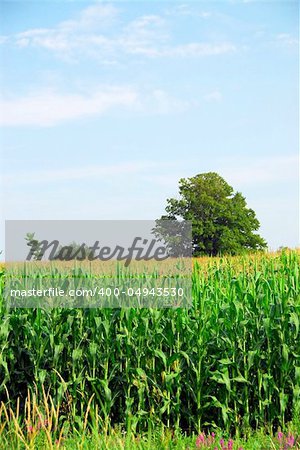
column 42, row 427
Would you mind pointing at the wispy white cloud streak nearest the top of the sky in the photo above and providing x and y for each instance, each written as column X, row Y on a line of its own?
column 91, row 35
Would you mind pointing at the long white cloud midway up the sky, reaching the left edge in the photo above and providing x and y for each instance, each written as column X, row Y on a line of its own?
column 48, row 107
